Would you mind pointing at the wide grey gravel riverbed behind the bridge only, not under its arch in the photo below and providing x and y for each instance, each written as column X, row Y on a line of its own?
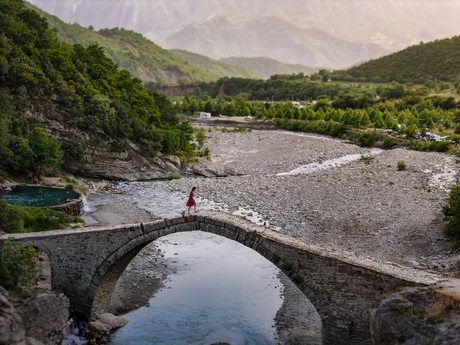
column 367, row 205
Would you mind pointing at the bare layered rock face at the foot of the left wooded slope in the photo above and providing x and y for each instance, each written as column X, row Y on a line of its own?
column 100, row 162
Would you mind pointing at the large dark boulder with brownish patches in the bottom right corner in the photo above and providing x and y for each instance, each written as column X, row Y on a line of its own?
column 416, row 316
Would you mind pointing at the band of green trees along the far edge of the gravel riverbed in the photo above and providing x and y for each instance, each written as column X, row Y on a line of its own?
column 394, row 115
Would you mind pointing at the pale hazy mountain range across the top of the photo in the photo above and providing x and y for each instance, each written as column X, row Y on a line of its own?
column 329, row 33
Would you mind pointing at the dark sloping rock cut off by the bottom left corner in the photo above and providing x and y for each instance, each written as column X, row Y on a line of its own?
column 12, row 330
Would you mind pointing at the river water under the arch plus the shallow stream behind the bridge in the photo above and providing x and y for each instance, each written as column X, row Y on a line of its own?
column 217, row 290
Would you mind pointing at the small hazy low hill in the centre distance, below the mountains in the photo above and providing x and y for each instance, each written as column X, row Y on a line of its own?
column 266, row 67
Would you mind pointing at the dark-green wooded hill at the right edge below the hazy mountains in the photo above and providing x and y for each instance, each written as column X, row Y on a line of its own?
column 422, row 63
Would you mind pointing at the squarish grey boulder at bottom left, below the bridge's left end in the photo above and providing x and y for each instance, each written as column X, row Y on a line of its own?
column 45, row 317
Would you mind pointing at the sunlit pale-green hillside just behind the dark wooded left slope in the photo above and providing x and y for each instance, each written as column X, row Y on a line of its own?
column 131, row 51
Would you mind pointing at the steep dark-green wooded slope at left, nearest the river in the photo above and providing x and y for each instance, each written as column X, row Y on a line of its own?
column 78, row 87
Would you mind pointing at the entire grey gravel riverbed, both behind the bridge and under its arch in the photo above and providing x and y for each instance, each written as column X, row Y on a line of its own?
column 362, row 203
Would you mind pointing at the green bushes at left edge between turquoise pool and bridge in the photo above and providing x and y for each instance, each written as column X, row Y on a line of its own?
column 17, row 218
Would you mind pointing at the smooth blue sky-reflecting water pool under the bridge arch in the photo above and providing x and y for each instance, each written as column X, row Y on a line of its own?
column 221, row 292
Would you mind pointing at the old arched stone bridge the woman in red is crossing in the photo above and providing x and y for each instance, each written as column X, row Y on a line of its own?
column 86, row 264
